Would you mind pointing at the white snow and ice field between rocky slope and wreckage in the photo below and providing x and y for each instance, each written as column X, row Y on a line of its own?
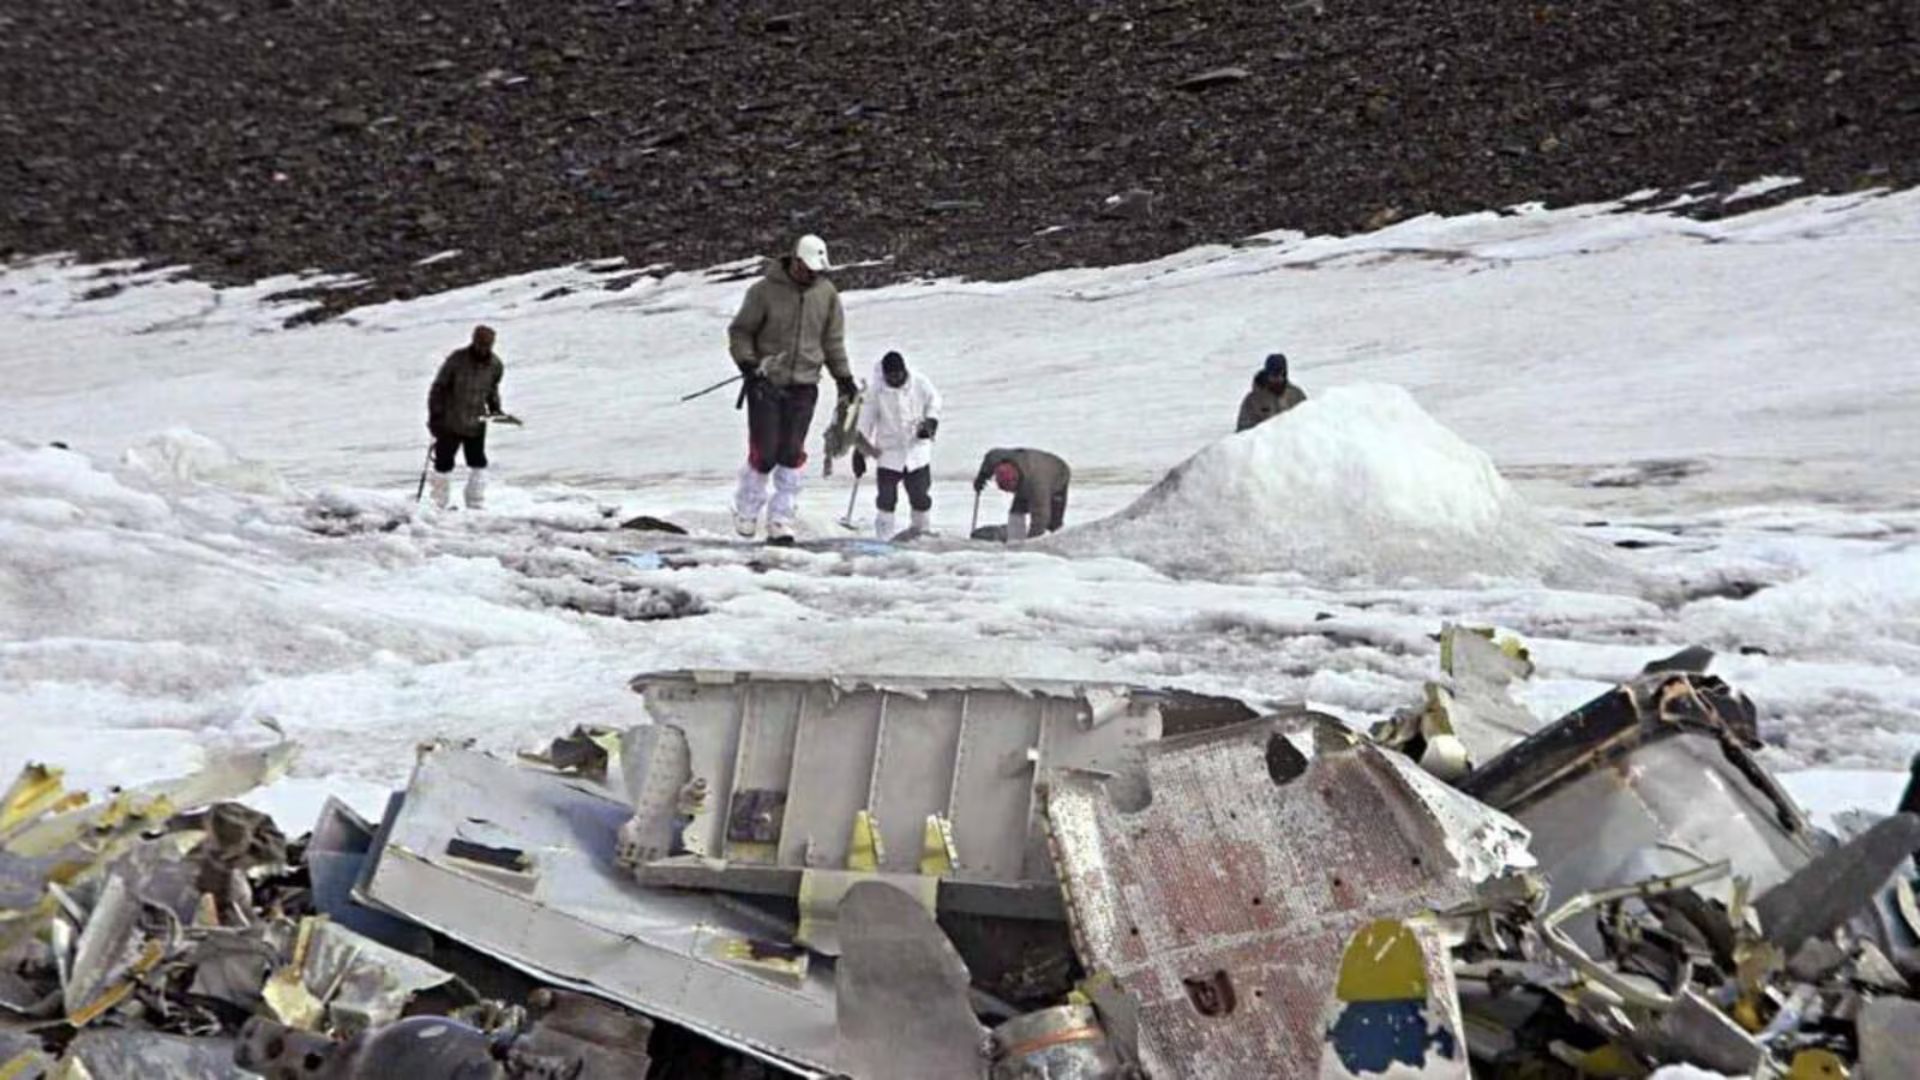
column 1612, row 433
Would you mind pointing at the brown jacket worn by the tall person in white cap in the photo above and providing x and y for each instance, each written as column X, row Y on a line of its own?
column 786, row 333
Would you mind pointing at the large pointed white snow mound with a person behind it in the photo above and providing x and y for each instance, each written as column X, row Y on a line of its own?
column 1356, row 483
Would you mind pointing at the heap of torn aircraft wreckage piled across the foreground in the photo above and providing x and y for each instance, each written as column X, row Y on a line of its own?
column 999, row 879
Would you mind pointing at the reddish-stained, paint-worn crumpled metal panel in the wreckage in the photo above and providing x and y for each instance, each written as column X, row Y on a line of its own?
column 1226, row 904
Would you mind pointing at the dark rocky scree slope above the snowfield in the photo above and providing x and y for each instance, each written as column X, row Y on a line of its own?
column 366, row 137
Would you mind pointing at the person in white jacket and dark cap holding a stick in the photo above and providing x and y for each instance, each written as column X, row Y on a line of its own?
column 898, row 426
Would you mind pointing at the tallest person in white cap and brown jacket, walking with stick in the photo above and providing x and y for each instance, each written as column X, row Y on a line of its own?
column 790, row 326
